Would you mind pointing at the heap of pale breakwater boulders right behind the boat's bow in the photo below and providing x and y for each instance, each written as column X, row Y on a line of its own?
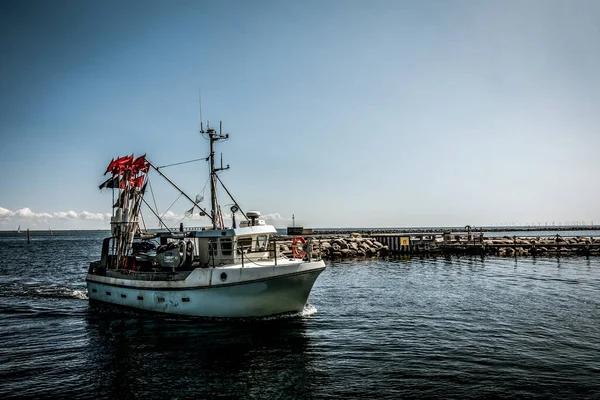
column 334, row 247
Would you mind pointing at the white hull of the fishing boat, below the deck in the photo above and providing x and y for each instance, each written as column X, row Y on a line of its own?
column 245, row 292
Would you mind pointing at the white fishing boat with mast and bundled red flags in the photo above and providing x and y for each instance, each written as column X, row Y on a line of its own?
column 216, row 271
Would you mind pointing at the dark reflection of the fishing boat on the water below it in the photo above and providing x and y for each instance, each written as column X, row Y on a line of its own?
column 141, row 356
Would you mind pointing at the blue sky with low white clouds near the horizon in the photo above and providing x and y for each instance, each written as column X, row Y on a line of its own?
column 341, row 113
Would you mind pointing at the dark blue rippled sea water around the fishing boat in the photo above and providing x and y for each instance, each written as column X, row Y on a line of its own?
column 405, row 328
